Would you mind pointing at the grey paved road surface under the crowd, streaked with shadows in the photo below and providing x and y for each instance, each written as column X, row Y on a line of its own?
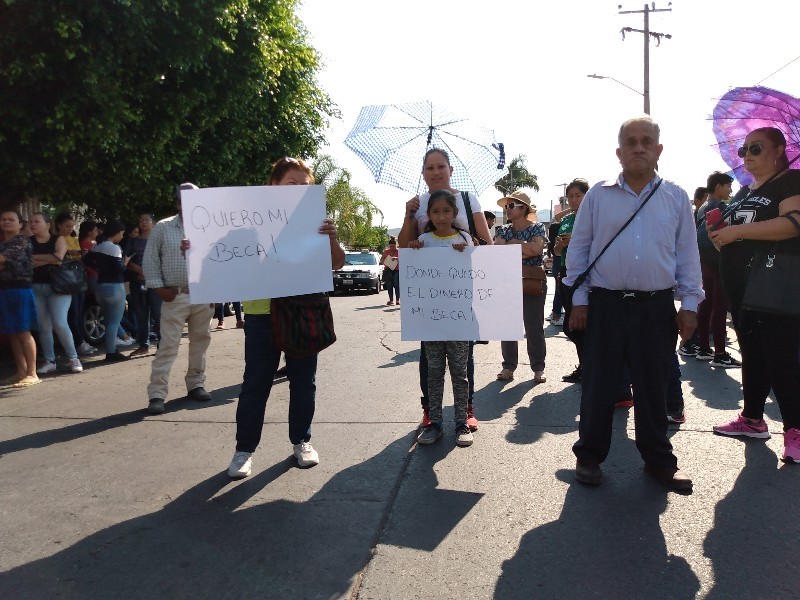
column 100, row 500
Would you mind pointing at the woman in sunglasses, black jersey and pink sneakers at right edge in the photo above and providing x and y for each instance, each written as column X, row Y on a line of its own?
column 766, row 211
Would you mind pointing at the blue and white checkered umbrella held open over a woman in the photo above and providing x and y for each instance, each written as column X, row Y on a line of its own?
column 392, row 140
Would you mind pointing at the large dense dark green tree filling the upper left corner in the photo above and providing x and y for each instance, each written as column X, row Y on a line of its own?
column 111, row 104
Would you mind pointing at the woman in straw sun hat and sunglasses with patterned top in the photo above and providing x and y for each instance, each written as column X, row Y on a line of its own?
column 533, row 238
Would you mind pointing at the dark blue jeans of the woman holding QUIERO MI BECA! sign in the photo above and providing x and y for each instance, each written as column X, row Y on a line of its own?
column 261, row 357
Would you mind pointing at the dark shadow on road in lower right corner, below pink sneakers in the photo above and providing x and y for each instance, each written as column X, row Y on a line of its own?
column 757, row 519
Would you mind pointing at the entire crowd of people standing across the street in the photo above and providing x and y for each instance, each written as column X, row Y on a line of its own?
column 625, row 251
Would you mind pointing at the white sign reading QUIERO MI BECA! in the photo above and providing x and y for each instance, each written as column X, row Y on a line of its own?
column 249, row 243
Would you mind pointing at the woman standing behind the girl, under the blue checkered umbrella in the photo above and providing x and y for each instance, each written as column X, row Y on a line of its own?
column 437, row 171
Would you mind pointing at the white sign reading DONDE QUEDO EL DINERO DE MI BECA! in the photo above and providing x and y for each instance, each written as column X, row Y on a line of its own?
column 471, row 295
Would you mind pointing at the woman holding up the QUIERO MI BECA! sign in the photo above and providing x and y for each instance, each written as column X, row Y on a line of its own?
column 261, row 357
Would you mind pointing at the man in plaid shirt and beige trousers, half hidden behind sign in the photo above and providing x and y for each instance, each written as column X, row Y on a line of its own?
column 165, row 271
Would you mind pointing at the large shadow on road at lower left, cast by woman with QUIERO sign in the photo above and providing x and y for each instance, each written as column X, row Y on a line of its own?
column 215, row 542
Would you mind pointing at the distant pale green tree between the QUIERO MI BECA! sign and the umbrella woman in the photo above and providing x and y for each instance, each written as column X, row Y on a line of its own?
column 349, row 207
